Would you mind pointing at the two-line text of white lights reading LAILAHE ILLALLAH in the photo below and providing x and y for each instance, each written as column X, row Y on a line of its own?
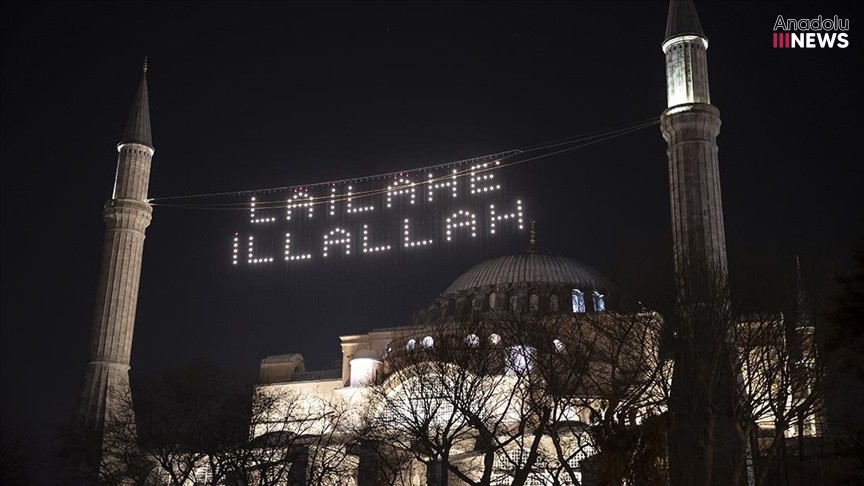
column 361, row 218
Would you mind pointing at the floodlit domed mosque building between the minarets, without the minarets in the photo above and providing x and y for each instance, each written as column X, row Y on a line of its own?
column 501, row 319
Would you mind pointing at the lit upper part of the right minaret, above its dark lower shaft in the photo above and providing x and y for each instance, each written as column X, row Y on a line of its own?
column 690, row 125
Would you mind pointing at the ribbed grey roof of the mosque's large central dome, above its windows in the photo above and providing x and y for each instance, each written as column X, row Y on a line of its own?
column 528, row 268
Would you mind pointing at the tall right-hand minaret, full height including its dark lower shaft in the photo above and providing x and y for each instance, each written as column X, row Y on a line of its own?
column 703, row 443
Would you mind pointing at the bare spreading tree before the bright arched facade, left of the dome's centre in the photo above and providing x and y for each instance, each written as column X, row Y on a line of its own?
column 445, row 400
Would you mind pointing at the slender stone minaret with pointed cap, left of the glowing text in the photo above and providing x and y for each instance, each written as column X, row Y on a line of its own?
column 126, row 217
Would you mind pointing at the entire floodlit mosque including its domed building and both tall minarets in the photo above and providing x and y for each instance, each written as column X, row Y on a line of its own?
column 520, row 313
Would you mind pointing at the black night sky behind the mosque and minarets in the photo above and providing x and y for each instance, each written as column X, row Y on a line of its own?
column 252, row 95
